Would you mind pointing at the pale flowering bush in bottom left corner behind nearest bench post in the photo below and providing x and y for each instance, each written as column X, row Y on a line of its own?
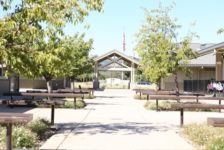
column 21, row 137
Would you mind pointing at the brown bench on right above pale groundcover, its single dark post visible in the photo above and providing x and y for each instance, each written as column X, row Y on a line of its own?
column 181, row 107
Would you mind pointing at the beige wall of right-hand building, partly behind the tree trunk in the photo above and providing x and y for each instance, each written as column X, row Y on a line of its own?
column 197, row 74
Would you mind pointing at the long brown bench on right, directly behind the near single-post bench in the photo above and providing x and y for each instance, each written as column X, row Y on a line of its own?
column 182, row 97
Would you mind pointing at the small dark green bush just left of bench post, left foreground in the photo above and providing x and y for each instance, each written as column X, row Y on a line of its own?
column 39, row 126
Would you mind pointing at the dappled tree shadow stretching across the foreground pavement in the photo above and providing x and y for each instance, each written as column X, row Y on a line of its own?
column 126, row 128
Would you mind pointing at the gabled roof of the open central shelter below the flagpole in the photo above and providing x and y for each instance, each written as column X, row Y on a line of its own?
column 116, row 52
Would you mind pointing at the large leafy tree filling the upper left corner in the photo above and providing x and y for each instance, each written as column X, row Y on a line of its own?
column 31, row 33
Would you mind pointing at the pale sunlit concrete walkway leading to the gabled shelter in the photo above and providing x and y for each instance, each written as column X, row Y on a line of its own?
column 114, row 121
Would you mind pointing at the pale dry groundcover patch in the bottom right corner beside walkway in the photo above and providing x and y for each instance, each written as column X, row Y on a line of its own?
column 207, row 137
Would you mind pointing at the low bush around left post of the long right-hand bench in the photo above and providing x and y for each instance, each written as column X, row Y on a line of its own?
column 165, row 105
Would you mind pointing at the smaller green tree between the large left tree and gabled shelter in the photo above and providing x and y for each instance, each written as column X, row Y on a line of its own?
column 79, row 61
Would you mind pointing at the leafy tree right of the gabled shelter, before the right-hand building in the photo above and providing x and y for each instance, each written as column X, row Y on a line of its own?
column 161, row 55
